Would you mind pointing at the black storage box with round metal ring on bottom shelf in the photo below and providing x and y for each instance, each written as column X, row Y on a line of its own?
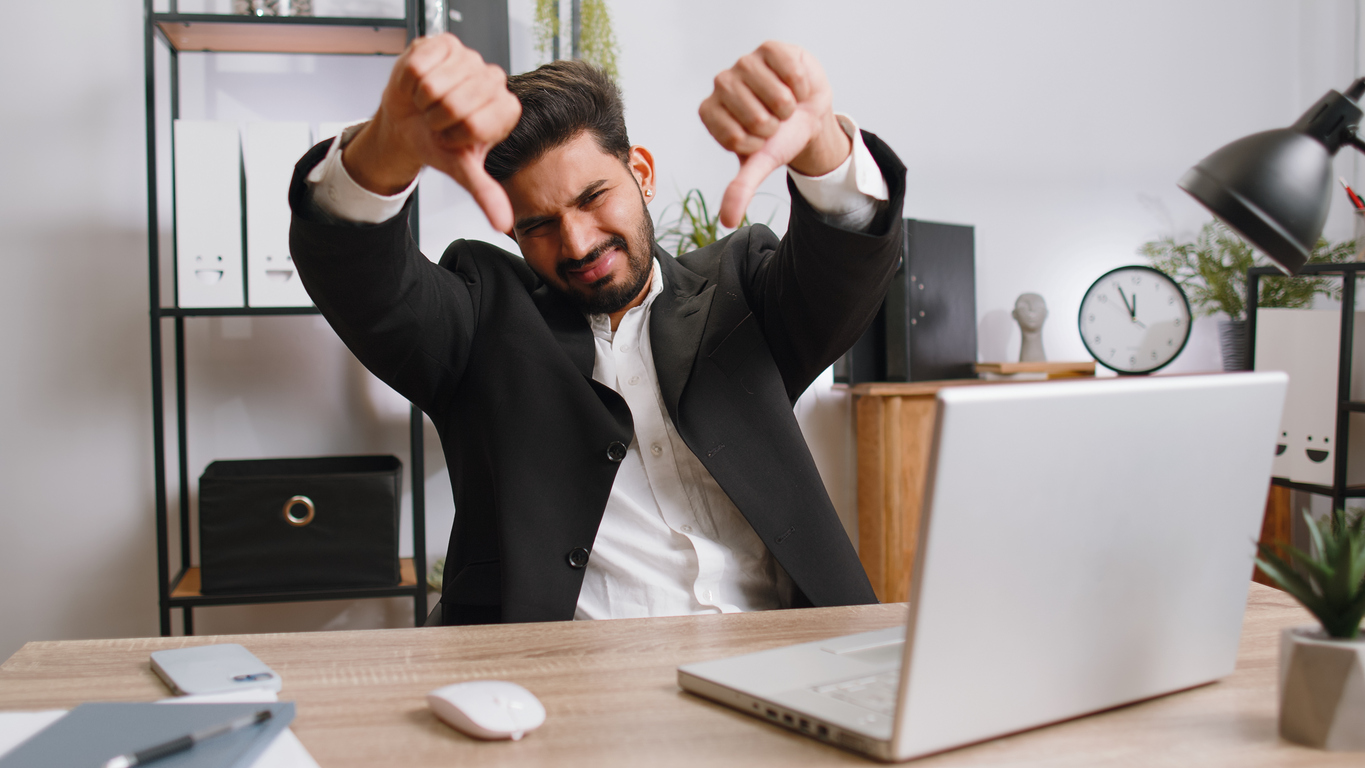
column 276, row 525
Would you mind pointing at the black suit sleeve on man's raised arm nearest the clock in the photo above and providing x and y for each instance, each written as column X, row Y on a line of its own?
column 820, row 287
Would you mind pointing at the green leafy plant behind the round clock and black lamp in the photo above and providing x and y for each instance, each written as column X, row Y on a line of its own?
column 1213, row 272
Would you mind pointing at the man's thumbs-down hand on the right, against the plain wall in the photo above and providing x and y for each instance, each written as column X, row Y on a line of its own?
column 773, row 108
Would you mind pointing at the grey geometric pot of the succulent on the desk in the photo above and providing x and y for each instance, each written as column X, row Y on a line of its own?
column 1322, row 688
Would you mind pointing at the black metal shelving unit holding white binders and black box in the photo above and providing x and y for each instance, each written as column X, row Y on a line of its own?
column 235, row 35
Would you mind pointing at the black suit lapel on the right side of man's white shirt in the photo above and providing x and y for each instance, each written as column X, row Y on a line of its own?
column 676, row 324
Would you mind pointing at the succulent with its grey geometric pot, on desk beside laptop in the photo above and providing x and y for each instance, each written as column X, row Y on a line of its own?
column 1322, row 669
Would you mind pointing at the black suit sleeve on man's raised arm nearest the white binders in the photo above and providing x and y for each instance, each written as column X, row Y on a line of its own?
column 407, row 320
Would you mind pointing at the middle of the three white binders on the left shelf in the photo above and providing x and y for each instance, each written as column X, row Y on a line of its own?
column 271, row 151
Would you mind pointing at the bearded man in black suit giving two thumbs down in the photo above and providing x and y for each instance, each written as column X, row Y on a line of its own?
column 618, row 424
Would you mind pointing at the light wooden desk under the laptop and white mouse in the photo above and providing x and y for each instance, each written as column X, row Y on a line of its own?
column 614, row 700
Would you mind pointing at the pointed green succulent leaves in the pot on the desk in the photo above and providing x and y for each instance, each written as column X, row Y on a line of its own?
column 1332, row 585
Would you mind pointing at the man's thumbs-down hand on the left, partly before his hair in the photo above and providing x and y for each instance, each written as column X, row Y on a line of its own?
column 444, row 107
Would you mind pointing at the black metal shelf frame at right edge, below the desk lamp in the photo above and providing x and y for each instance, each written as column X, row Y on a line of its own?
column 1340, row 492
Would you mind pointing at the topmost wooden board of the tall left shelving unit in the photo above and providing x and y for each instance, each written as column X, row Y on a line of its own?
column 283, row 35
